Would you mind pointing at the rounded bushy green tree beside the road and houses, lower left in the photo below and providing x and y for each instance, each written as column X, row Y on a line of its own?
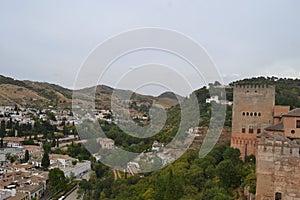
column 57, row 180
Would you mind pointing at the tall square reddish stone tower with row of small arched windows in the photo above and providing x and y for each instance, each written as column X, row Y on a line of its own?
column 253, row 107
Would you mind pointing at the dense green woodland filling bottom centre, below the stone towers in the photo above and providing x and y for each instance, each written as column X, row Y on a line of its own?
column 220, row 175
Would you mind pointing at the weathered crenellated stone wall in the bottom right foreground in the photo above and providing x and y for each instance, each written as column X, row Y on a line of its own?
column 277, row 169
